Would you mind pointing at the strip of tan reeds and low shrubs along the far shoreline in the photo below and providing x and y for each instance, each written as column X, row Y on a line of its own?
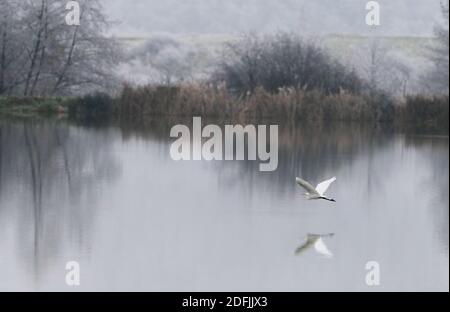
column 137, row 103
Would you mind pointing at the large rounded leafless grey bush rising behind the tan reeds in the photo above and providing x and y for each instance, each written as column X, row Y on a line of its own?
column 283, row 60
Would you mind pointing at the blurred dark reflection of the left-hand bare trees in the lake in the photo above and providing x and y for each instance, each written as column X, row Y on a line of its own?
column 52, row 163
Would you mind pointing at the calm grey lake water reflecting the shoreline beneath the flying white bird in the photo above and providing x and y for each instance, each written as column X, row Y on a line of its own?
column 112, row 199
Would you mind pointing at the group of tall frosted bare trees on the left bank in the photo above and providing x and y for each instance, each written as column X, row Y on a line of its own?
column 41, row 55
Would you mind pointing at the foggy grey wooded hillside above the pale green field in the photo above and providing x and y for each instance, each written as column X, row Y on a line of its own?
column 398, row 17
